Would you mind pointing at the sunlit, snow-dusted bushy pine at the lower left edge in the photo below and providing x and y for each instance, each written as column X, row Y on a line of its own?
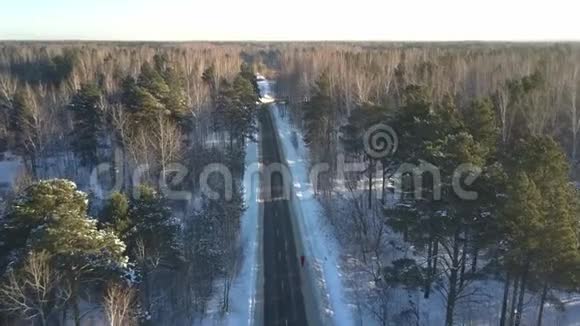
column 52, row 216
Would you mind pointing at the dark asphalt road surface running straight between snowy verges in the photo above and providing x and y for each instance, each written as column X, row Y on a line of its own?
column 283, row 299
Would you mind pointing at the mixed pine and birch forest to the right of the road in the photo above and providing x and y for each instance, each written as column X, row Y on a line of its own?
column 496, row 121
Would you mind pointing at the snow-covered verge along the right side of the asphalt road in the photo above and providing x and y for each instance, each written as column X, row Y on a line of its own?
column 321, row 248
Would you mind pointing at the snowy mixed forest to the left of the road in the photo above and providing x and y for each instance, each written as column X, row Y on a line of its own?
column 116, row 243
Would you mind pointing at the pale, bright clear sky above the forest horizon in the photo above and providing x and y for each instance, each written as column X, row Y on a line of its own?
column 182, row 20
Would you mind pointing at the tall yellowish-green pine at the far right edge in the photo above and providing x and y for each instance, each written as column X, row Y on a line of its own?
column 539, row 220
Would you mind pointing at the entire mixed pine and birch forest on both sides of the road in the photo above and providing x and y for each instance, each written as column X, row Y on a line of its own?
column 504, row 115
